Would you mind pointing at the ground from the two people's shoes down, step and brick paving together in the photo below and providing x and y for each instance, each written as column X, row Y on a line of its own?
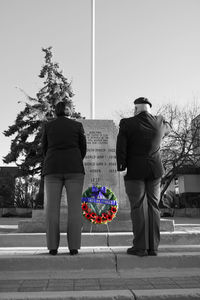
column 99, row 273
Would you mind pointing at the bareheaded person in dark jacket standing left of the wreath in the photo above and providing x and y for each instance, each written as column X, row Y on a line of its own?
column 64, row 148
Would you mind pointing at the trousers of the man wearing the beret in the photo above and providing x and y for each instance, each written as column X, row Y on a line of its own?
column 144, row 196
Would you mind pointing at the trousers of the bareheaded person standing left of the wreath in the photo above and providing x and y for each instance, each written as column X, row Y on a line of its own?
column 53, row 185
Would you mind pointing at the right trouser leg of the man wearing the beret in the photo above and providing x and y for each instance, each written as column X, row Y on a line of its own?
column 153, row 198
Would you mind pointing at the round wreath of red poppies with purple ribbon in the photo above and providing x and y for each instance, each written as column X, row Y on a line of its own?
column 99, row 205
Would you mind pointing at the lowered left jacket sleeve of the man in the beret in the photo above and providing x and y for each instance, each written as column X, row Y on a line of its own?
column 121, row 147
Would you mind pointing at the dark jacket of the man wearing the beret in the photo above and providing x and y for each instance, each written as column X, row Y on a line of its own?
column 138, row 146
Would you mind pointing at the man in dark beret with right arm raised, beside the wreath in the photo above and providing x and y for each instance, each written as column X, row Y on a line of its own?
column 138, row 152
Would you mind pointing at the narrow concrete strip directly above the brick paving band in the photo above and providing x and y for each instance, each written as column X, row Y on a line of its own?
column 95, row 273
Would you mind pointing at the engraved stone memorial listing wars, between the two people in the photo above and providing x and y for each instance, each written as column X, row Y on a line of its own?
column 100, row 161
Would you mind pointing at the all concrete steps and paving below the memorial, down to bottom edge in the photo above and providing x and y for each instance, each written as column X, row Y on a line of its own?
column 102, row 271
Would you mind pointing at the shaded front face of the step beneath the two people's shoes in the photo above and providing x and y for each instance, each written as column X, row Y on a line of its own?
column 106, row 260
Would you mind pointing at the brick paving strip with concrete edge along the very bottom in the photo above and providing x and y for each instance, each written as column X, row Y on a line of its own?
column 103, row 286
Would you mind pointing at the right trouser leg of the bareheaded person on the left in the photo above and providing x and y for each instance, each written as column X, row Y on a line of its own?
column 74, row 188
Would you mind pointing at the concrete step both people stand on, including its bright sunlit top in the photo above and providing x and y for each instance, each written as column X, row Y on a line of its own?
column 107, row 259
